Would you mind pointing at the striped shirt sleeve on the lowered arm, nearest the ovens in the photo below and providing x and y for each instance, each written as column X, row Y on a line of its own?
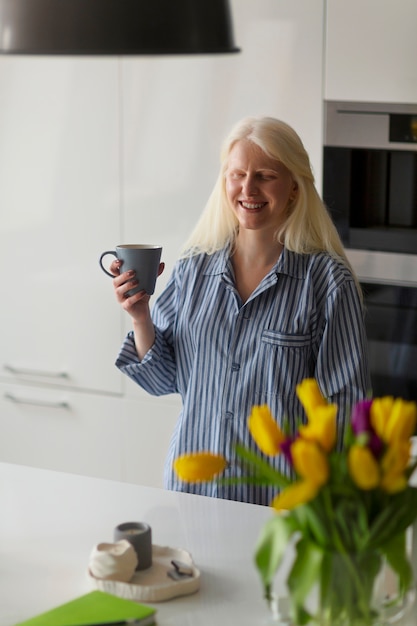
column 342, row 364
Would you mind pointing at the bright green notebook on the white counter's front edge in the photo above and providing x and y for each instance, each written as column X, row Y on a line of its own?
column 96, row 607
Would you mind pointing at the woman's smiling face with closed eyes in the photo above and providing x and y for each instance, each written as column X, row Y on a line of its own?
column 258, row 187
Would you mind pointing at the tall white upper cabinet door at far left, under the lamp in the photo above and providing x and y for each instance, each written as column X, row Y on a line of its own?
column 60, row 207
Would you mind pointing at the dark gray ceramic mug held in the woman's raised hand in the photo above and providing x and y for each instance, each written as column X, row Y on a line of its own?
column 142, row 258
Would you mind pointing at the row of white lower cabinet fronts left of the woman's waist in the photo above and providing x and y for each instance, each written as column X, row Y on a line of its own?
column 84, row 433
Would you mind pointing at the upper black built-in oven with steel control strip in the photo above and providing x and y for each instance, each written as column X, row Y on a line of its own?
column 370, row 174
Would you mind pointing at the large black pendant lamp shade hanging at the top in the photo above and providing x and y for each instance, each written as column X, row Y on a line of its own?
column 115, row 27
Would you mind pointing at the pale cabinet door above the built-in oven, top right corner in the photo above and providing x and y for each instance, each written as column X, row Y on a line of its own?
column 371, row 50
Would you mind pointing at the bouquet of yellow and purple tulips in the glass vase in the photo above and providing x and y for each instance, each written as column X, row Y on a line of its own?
column 347, row 511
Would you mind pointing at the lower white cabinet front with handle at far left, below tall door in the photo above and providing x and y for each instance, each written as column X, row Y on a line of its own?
column 61, row 430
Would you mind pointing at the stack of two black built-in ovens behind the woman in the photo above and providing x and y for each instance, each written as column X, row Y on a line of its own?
column 370, row 188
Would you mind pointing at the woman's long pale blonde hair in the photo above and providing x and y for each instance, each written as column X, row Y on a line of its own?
column 308, row 227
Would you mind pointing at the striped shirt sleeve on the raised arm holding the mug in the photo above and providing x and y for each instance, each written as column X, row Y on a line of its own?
column 156, row 373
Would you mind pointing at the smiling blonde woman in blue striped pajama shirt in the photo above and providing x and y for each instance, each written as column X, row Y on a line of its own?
column 262, row 297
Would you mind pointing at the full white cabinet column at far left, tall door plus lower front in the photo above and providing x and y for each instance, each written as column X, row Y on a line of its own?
column 60, row 207
